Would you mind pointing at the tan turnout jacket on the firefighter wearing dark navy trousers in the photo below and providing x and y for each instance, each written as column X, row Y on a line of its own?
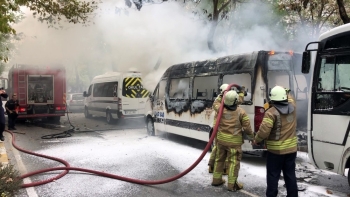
column 278, row 127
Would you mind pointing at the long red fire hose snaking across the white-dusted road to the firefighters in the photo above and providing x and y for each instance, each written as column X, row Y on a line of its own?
column 67, row 167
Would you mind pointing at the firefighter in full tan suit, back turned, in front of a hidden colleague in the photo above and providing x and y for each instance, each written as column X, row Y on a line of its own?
column 229, row 140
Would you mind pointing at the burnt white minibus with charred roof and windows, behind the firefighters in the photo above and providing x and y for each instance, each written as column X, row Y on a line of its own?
column 182, row 101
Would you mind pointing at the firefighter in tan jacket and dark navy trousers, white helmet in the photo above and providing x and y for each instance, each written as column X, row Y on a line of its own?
column 279, row 129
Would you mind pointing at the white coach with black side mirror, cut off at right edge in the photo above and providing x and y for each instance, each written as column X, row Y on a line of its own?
column 329, row 104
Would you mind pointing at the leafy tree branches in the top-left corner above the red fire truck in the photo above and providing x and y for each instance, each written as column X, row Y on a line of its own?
column 49, row 11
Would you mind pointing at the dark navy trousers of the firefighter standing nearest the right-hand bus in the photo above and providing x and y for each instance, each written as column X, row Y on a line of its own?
column 274, row 165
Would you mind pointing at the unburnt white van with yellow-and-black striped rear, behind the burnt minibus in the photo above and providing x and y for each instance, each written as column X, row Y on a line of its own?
column 116, row 95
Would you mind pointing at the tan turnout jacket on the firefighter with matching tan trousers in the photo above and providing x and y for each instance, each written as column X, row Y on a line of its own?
column 231, row 124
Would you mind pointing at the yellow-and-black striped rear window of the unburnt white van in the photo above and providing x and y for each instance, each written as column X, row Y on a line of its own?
column 132, row 88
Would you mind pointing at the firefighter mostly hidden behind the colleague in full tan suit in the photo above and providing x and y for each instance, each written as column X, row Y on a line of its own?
column 241, row 93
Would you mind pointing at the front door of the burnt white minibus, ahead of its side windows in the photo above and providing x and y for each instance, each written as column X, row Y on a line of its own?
column 158, row 106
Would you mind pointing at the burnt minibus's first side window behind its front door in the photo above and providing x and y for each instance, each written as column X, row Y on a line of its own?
column 179, row 88
